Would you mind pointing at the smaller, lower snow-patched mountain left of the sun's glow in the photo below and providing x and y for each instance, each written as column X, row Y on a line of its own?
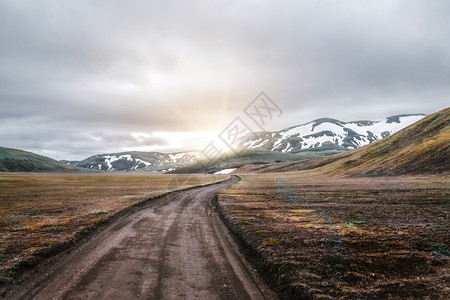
column 137, row 161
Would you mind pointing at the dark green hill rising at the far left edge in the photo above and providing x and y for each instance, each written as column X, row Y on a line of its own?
column 14, row 160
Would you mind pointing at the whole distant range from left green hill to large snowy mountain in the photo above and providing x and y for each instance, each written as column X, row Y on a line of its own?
column 317, row 138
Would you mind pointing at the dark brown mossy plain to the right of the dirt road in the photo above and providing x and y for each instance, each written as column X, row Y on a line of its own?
column 319, row 237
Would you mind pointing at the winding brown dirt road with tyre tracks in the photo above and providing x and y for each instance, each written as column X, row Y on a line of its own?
column 174, row 248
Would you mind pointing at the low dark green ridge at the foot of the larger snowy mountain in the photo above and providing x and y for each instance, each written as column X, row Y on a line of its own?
column 249, row 157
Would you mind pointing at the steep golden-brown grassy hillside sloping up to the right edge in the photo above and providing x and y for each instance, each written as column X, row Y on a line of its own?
column 422, row 148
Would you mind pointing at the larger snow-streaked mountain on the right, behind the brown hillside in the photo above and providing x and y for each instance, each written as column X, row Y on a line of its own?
column 327, row 133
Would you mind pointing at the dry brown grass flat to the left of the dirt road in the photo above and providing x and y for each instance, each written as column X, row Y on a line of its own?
column 40, row 211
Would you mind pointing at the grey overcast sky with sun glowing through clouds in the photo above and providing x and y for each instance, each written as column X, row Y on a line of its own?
column 78, row 78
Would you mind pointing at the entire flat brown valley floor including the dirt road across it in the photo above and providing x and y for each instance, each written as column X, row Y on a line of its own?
column 309, row 236
